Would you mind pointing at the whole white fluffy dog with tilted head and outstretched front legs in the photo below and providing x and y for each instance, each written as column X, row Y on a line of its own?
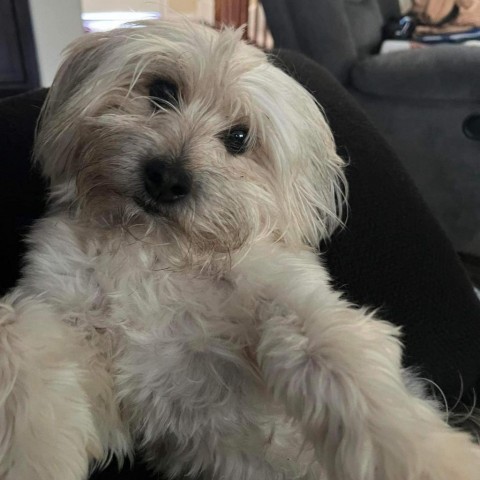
column 172, row 299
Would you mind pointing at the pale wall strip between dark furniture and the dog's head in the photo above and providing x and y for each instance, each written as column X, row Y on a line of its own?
column 55, row 24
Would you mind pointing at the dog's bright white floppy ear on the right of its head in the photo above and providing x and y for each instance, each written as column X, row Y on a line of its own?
column 302, row 150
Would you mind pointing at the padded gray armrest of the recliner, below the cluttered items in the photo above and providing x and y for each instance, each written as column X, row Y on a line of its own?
column 443, row 73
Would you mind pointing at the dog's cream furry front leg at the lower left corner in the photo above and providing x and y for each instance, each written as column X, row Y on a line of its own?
column 56, row 409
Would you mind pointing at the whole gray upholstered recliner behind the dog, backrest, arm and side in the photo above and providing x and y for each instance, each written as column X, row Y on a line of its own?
column 417, row 98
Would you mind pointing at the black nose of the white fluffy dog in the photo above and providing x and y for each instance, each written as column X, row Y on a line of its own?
column 166, row 183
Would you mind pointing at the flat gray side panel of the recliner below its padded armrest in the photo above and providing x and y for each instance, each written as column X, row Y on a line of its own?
column 427, row 135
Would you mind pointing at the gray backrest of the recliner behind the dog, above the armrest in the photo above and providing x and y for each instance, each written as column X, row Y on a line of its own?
column 333, row 32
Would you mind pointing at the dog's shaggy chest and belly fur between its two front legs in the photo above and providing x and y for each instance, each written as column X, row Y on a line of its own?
column 180, row 341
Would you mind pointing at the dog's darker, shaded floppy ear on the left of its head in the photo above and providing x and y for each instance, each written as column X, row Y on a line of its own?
column 56, row 136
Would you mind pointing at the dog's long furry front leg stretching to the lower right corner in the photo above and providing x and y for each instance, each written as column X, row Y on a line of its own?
column 338, row 372
